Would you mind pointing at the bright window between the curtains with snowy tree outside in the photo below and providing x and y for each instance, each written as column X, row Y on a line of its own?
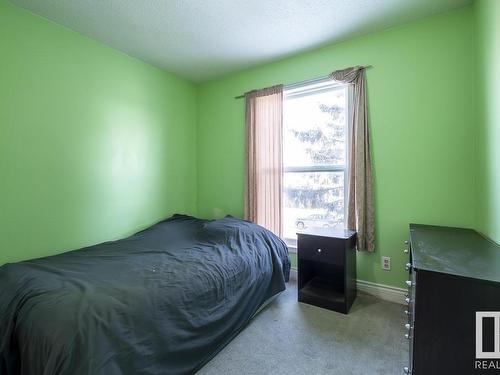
column 315, row 157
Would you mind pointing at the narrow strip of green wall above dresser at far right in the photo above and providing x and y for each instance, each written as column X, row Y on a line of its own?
column 488, row 109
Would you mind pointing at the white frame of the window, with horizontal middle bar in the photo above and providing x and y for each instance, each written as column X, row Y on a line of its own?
column 307, row 88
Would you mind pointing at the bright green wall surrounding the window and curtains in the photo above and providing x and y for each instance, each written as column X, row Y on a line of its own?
column 422, row 119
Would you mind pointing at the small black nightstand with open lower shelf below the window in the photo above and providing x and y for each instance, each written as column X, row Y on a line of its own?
column 327, row 268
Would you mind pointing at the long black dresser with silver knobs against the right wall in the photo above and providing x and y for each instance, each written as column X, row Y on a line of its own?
column 453, row 302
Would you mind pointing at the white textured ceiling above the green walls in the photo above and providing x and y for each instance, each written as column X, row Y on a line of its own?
column 204, row 39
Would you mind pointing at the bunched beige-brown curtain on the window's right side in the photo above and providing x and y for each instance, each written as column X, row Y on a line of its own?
column 360, row 209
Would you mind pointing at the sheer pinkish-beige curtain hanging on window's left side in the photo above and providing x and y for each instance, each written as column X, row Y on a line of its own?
column 264, row 134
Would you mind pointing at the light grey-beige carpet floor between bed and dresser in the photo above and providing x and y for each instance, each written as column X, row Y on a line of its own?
column 290, row 338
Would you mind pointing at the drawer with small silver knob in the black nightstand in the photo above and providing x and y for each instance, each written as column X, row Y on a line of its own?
column 321, row 249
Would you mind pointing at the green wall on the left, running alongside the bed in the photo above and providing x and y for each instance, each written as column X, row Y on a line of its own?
column 94, row 144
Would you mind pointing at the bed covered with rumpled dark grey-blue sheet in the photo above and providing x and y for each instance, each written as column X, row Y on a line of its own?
column 163, row 301
